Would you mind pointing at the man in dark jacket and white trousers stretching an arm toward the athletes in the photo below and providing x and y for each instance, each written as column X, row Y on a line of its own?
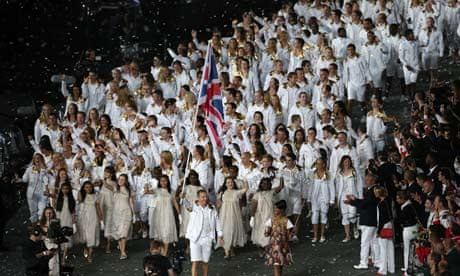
column 367, row 208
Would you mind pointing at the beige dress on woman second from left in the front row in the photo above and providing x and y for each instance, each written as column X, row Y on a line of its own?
column 88, row 222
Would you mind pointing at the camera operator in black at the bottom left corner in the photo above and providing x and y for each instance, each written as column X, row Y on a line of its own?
column 35, row 253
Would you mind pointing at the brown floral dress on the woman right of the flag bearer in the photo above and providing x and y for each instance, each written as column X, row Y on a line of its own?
column 278, row 252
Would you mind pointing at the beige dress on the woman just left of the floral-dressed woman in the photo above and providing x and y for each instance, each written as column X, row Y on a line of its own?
column 264, row 212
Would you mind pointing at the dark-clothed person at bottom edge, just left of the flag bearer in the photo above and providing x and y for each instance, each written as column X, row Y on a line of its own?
column 157, row 264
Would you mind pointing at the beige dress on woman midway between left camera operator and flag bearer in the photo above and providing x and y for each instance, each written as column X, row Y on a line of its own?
column 122, row 216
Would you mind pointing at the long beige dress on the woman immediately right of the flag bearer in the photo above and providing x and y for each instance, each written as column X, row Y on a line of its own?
column 232, row 220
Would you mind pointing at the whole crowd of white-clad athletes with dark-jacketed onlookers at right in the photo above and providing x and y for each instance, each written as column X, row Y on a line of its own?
column 304, row 92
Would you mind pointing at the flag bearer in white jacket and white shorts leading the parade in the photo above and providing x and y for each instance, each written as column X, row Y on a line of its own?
column 201, row 231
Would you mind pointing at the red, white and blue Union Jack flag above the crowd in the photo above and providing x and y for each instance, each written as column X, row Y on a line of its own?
column 210, row 100
